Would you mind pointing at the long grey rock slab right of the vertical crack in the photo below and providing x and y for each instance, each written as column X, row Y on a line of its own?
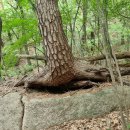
column 42, row 113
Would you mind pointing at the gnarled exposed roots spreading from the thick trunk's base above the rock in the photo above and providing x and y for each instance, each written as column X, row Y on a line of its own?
column 84, row 76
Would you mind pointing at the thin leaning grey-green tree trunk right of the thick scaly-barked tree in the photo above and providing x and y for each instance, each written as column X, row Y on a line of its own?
column 111, row 58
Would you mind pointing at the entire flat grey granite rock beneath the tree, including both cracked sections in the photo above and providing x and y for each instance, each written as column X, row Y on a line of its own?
column 22, row 112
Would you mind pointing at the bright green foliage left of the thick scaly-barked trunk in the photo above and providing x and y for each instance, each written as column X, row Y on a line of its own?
column 13, row 24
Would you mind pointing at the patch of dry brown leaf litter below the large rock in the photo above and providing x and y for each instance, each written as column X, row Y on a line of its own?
column 111, row 121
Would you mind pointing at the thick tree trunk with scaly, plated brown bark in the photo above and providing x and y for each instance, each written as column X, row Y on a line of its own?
column 60, row 60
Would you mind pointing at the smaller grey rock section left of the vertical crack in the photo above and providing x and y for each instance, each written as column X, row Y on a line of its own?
column 11, row 112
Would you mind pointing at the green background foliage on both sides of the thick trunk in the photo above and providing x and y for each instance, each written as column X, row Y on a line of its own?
column 20, row 26
